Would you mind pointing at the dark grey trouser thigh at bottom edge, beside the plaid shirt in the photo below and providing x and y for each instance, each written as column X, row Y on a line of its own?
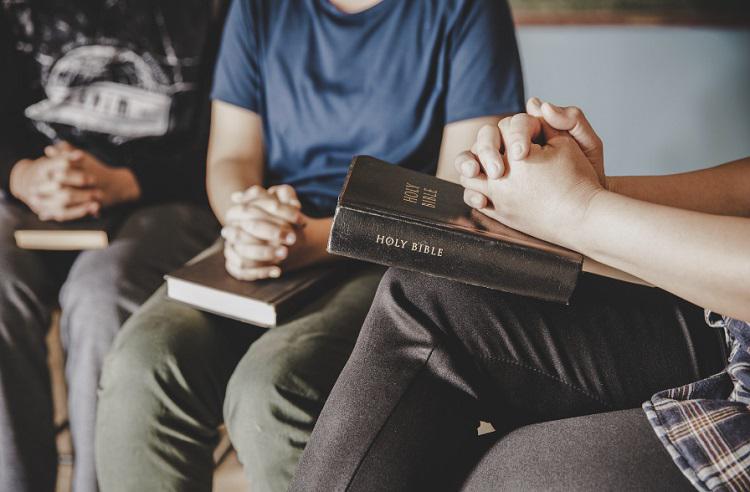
column 610, row 451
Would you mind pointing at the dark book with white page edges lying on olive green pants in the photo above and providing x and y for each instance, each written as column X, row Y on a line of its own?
column 206, row 285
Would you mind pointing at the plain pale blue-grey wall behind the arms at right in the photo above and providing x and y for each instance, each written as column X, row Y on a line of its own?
column 663, row 99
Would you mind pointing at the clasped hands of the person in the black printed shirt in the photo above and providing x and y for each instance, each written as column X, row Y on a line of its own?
column 68, row 183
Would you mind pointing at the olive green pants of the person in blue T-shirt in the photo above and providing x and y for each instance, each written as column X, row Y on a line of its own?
column 175, row 373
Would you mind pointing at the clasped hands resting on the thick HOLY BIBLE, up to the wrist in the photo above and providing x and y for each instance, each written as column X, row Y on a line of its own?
column 536, row 172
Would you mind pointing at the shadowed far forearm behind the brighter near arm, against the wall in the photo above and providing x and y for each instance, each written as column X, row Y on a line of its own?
column 722, row 190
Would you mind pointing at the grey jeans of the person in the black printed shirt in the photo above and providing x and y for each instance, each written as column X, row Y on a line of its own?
column 98, row 290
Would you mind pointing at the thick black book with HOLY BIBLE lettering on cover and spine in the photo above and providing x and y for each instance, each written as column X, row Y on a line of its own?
column 398, row 217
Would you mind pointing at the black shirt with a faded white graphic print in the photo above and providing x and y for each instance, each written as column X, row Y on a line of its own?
column 126, row 80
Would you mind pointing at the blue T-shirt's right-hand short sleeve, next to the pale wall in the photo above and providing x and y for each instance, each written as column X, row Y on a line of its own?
column 485, row 70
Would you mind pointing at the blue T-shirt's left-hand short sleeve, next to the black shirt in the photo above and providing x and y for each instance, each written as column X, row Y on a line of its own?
column 237, row 79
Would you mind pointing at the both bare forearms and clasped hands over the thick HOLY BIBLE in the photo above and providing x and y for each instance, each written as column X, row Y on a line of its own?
column 686, row 233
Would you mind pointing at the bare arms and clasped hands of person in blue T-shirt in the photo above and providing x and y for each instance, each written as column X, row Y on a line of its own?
column 265, row 231
